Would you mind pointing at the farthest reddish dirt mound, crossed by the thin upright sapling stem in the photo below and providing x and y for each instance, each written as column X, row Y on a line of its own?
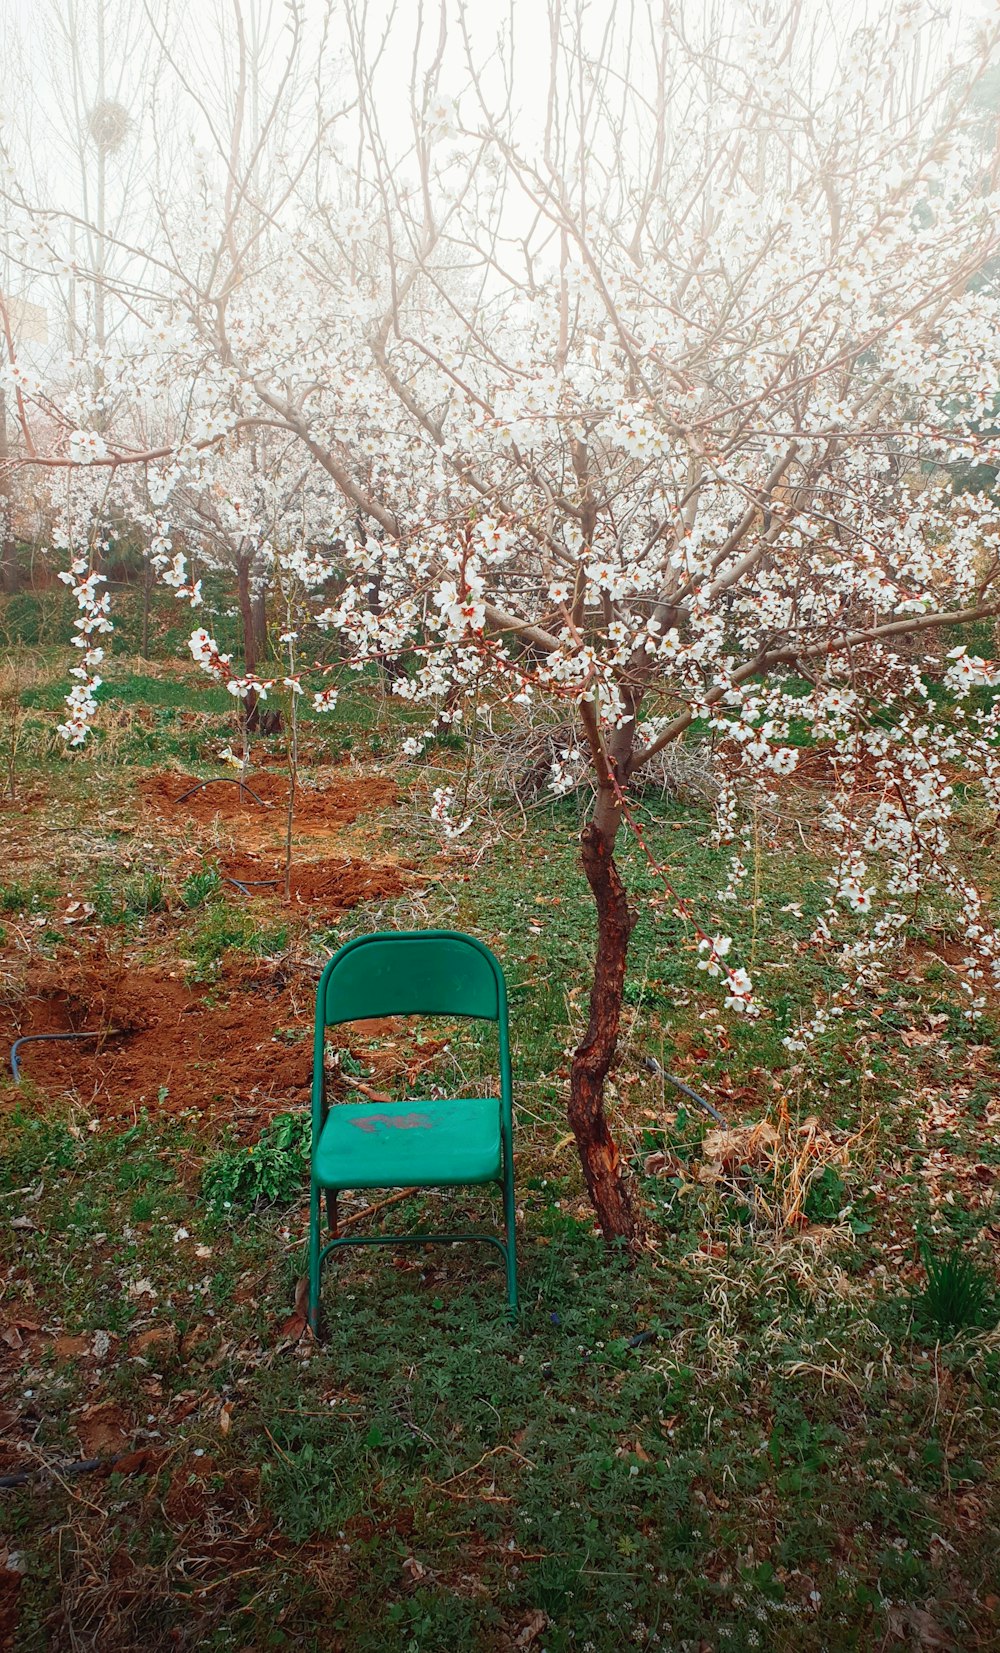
column 338, row 804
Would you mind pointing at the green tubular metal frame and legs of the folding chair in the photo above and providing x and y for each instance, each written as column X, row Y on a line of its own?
column 416, row 1004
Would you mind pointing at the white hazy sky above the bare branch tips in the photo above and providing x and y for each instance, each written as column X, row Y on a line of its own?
column 49, row 82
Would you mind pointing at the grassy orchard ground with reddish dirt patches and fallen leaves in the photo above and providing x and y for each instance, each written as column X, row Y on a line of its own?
column 760, row 1437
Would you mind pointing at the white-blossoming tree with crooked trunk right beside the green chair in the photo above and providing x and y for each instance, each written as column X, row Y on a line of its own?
column 647, row 406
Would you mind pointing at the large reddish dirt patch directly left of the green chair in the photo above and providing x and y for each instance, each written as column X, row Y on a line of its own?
column 169, row 1047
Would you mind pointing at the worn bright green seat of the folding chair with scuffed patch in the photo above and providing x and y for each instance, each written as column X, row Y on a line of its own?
column 411, row 1145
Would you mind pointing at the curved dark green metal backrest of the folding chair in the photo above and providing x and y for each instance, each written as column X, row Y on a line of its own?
column 412, row 974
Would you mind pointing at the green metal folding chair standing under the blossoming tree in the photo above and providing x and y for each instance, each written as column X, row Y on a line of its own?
column 411, row 1145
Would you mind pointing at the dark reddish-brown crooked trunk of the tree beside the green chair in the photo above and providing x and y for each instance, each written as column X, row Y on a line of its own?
column 602, row 1166
